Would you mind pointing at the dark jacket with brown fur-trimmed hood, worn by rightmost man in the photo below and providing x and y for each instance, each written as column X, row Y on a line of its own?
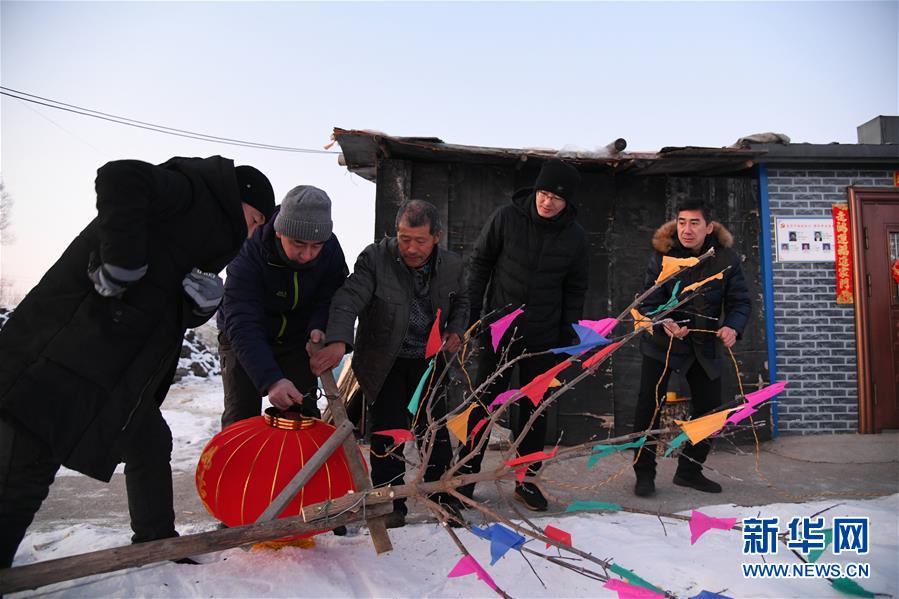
column 729, row 295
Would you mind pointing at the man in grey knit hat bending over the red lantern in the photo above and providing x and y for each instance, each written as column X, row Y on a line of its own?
column 277, row 295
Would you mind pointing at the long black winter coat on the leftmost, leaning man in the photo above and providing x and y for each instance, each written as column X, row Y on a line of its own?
column 79, row 370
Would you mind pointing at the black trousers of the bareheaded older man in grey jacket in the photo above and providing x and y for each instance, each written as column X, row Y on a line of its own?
column 390, row 410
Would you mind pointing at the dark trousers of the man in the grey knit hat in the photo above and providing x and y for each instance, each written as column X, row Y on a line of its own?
column 242, row 398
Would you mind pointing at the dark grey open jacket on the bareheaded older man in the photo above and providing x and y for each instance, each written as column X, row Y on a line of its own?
column 379, row 292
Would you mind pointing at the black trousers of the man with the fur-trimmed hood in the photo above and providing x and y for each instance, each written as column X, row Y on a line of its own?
column 705, row 397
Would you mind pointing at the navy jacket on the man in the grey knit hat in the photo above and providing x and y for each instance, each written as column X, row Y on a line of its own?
column 271, row 301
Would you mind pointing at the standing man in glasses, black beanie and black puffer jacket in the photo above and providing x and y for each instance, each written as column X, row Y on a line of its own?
column 531, row 253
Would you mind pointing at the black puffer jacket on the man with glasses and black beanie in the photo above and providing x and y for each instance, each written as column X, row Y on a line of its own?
column 522, row 258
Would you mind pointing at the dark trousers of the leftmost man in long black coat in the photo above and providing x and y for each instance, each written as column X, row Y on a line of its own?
column 27, row 470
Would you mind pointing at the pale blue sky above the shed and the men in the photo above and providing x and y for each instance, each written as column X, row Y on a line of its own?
column 508, row 74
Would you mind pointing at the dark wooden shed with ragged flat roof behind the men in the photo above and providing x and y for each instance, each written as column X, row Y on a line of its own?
column 623, row 198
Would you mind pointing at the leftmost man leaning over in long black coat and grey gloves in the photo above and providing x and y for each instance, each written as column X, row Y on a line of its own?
column 88, row 356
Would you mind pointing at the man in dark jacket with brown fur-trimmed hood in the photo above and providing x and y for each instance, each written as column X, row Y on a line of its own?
column 721, row 305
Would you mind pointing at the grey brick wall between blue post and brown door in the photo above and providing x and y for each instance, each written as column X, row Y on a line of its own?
column 815, row 336
